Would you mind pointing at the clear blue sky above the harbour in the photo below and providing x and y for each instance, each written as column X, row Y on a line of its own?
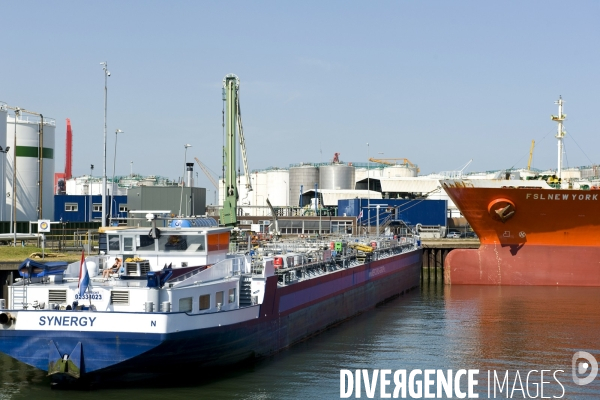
column 437, row 82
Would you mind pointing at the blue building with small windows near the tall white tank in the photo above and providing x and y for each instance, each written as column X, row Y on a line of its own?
column 82, row 208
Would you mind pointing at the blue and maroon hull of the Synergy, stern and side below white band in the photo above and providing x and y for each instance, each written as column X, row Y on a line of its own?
column 287, row 315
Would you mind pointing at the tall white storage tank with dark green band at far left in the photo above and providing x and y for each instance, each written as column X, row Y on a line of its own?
column 28, row 141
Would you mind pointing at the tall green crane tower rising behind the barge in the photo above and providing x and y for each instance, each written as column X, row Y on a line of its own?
column 233, row 124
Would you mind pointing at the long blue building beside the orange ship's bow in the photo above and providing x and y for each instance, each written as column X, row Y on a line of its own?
column 411, row 212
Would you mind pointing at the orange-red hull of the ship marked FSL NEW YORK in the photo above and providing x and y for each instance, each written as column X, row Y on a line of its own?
column 529, row 236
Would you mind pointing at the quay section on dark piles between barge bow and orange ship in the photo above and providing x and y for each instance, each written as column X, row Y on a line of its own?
column 435, row 252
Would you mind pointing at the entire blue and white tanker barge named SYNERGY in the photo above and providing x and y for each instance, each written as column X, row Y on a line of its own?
column 182, row 299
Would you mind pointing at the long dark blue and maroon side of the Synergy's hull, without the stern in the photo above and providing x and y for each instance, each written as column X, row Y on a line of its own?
column 274, row 331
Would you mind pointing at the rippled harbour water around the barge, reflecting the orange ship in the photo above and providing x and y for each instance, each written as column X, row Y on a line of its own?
column 513, row 331
